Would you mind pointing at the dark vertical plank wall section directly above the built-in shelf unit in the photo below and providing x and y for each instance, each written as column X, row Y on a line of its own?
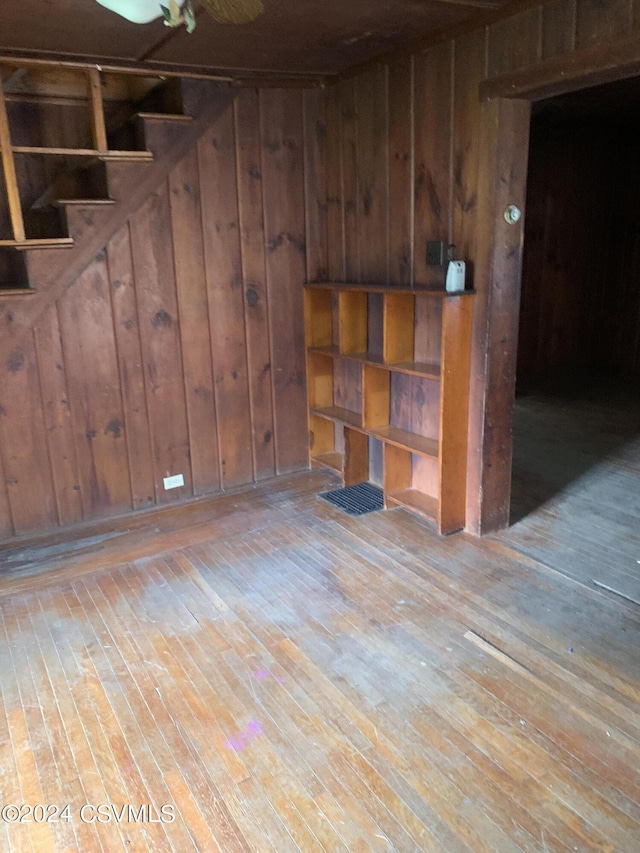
column 390, row 168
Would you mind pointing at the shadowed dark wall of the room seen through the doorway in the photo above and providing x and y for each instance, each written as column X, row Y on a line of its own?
column 581, row 267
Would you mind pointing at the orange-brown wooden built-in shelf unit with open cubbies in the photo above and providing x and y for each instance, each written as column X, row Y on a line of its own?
column 392, row 364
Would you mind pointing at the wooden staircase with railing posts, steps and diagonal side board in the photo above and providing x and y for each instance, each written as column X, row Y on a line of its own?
column 89, row 200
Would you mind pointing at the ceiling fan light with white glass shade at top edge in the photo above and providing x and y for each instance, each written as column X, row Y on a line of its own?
column 176, row 13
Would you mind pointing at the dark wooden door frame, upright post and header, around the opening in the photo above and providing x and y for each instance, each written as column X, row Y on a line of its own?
column 502, row 177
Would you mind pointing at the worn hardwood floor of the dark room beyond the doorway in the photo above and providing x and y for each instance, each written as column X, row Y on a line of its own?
column 576, row 481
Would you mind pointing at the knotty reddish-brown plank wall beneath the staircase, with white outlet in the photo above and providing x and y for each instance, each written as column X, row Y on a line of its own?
column 179, row 350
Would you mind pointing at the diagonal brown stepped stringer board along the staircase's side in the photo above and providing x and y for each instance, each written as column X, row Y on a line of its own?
column 53, row 271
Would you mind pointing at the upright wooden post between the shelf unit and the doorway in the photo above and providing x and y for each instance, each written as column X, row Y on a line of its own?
column 504, row 147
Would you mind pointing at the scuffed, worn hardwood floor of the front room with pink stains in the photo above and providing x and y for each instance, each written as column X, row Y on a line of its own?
column 285, row 677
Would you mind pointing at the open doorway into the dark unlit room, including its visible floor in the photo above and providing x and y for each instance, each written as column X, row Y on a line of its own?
column 576, row 463
